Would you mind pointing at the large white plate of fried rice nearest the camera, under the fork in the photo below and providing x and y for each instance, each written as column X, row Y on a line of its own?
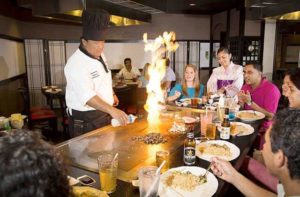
column 187, row 181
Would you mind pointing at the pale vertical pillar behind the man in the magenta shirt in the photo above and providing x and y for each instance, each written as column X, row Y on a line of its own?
column 269, row 47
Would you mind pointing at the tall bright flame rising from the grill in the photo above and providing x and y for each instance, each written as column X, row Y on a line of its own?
column 160, row 49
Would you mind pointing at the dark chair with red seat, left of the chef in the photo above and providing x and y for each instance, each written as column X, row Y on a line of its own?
column 38, row 115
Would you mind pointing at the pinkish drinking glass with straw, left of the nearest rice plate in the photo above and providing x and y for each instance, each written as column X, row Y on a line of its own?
column 149, row 181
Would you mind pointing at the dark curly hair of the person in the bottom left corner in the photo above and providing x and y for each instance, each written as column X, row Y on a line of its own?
column 30, row 167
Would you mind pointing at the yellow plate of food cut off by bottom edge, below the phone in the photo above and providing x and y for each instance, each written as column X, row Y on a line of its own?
column 84, row 191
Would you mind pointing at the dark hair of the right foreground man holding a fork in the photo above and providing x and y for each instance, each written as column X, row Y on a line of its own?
column 285, row 136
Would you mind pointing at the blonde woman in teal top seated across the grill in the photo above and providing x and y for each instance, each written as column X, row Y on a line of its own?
column 190, row 86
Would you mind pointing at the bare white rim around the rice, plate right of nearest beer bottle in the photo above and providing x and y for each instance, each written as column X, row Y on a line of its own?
column 233, row 149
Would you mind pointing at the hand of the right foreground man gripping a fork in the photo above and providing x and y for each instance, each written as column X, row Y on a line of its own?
column 223, row 169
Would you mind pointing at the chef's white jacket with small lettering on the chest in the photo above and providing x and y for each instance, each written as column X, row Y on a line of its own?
column 86, row 77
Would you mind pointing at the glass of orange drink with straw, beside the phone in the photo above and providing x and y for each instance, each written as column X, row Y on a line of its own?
column 108, row 166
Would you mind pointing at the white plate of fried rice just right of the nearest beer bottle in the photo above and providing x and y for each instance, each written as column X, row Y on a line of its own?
column 217, row 148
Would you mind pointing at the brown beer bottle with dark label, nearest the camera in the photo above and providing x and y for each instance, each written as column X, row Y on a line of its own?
column 189, row 153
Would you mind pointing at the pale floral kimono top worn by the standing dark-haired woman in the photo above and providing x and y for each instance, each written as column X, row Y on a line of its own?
column 233, row 72
